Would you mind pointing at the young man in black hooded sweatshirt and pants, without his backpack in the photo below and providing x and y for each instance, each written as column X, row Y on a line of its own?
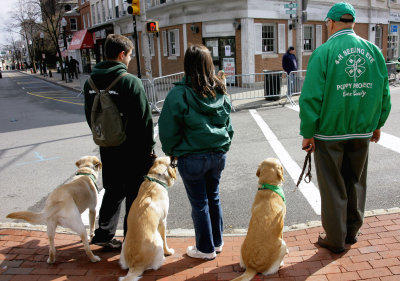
column 125, row 165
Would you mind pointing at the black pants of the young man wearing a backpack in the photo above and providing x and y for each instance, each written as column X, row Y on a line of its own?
column 122, row 177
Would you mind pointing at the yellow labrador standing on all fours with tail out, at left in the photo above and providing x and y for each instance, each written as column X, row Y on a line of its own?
column 66, row 203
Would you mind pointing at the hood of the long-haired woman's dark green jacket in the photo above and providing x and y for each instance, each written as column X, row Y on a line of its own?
column 207, row 105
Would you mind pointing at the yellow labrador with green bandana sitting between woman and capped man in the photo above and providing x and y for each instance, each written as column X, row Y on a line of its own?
column 263, row 248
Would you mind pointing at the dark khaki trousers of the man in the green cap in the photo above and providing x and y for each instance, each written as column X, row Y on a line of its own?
column 341, row 168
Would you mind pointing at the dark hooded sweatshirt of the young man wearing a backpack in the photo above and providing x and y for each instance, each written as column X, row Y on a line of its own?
column 130, row 98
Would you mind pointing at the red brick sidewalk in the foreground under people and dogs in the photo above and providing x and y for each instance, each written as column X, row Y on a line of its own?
column 376, row 256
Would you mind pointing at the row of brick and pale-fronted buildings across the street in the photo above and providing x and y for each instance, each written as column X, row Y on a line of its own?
column 243, row 36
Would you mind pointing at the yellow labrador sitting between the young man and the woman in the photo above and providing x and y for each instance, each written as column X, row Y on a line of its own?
column 145, row 243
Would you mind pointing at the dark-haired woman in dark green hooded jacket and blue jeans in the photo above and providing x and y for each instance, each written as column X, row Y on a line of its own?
column 195, row 127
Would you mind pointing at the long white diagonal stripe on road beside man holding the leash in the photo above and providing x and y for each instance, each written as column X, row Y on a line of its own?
column 309, row 190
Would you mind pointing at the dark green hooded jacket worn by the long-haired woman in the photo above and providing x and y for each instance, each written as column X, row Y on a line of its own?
column 191, row 124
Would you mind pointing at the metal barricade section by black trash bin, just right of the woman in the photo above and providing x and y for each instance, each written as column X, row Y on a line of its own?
column 270, row 85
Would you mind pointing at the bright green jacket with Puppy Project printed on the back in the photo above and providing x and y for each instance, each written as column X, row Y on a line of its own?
column 346, row 90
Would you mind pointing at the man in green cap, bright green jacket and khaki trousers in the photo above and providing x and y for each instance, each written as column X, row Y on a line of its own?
column 344, row 102
